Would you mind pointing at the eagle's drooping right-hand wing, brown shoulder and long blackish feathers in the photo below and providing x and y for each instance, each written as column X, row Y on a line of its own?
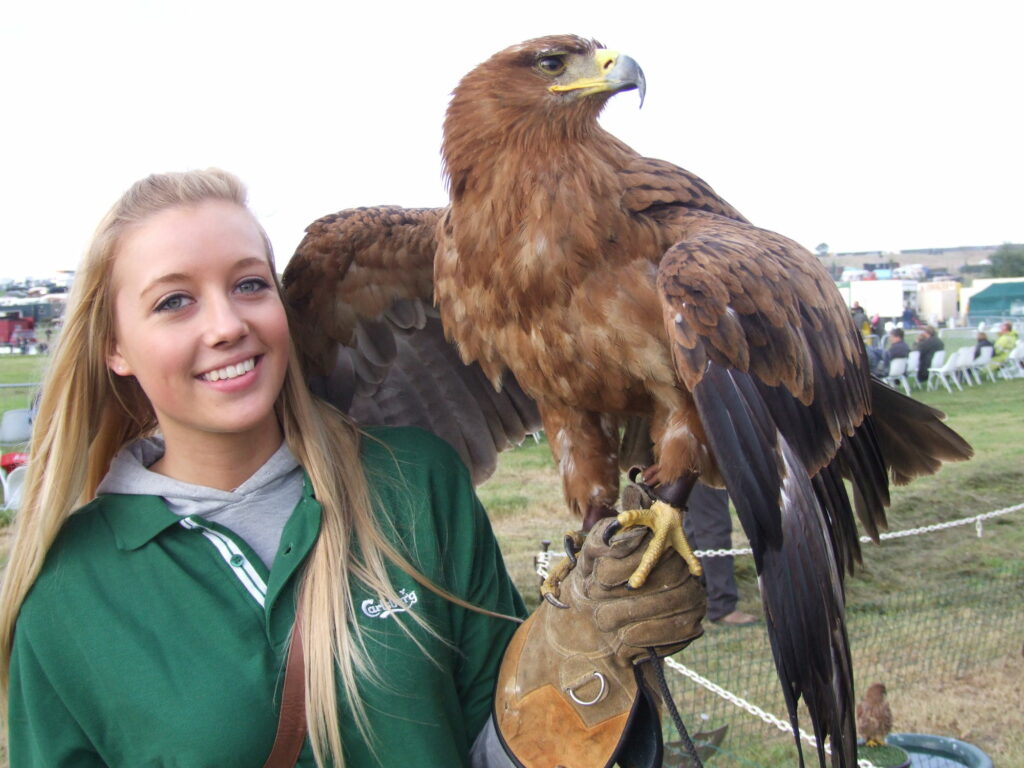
column 783, row 398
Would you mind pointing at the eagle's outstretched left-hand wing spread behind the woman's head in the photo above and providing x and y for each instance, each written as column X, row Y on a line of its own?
column 361, row 293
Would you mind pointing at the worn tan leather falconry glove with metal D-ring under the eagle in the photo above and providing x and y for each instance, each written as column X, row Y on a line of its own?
column 573, row 689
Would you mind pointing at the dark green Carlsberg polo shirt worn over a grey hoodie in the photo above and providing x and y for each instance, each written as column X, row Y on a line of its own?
column 155, row 641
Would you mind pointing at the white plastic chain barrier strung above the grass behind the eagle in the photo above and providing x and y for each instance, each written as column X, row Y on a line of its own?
column 543, row 563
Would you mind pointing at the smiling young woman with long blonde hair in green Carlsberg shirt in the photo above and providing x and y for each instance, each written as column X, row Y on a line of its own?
column 187, row 496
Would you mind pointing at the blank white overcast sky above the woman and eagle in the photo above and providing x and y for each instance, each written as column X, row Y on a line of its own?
column 866, row 125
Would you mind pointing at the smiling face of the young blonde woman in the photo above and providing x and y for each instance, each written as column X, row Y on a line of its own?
column 199, row 323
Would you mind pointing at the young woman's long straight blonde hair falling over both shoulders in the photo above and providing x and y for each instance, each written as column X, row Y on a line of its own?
column 87, row 411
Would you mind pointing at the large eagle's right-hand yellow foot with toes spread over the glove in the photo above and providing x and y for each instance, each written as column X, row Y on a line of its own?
column 665, row 519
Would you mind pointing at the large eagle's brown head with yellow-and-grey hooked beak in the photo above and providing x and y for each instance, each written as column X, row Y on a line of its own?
column 533, row 95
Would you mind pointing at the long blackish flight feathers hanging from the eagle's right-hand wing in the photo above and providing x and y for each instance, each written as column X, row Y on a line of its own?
column 794, row 548
